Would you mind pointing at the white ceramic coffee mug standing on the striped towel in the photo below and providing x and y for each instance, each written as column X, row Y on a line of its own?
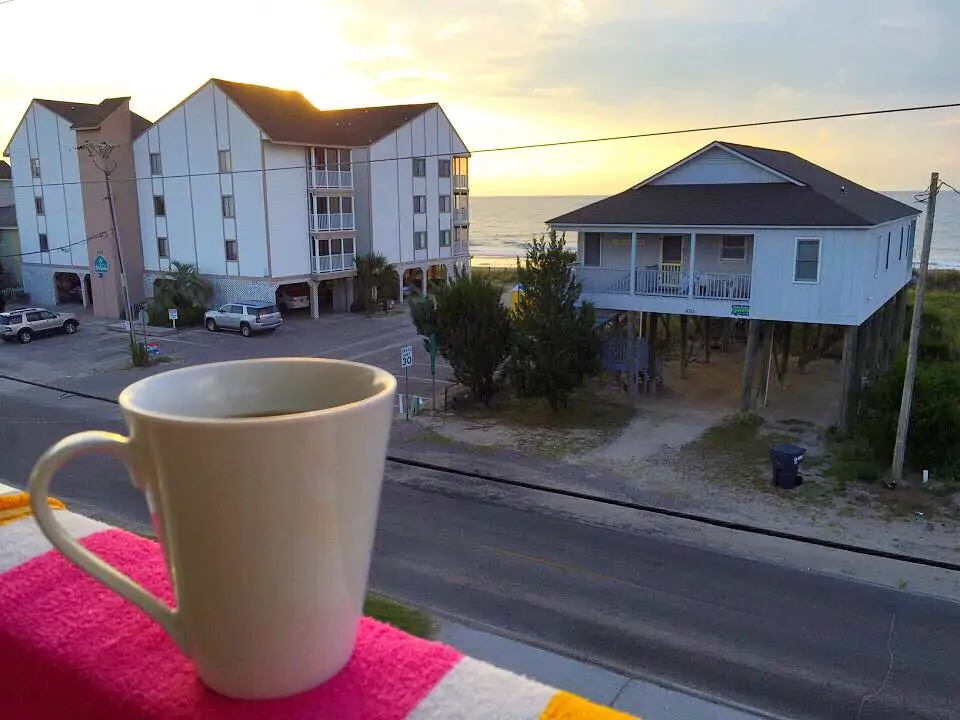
column 263, row 478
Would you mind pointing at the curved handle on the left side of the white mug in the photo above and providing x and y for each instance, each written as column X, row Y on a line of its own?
column 85, row 443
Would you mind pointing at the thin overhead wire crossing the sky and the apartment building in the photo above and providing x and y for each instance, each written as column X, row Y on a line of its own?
column 533, row 146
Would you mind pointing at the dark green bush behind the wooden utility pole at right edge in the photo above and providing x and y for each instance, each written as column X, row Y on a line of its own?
column 934, row 417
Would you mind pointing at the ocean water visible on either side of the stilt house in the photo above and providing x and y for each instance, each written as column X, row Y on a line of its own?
column 500, row 226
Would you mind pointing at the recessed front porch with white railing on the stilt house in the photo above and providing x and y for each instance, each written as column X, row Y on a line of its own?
column 703, row 274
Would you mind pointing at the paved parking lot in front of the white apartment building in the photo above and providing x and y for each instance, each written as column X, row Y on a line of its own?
column 96, row 360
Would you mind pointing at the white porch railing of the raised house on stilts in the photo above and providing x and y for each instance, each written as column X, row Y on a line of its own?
column 667, row 281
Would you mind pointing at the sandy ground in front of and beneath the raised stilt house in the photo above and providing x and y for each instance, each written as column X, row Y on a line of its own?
column 673, row 449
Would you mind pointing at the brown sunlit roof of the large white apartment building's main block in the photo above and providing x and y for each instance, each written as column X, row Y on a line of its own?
column 287, row 116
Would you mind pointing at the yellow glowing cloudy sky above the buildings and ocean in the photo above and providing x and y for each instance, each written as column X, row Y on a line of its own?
column 525, row 71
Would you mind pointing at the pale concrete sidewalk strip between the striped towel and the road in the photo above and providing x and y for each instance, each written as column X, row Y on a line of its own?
column 638, row 697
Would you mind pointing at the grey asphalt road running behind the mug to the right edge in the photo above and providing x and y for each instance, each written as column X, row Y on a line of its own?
column 780, row 639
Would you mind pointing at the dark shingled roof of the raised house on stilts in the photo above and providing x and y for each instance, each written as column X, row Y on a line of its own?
column 822, row 199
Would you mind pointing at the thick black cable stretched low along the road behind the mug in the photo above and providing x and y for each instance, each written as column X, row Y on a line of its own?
column 614, row 502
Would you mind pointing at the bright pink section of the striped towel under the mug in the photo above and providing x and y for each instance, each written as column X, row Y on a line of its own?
column 63, row 635
